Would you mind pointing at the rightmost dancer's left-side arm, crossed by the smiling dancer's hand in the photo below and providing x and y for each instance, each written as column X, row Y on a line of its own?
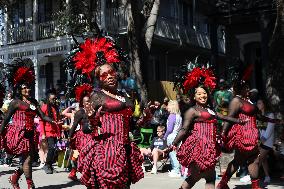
column 234, row 108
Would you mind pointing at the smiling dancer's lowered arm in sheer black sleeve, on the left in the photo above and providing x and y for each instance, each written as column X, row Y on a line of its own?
column 189, row 117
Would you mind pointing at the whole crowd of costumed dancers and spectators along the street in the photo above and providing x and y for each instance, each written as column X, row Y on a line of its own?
column 100, row 126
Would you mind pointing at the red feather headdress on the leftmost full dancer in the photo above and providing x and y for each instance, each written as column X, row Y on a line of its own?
column 23, row 75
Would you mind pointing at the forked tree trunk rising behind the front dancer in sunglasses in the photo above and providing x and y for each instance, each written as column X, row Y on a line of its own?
column 140, row 34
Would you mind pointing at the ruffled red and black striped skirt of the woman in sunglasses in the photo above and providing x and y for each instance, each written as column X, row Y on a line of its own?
column 110, row 164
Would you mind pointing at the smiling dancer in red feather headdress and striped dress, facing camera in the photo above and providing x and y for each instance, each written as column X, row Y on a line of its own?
column 199, row 151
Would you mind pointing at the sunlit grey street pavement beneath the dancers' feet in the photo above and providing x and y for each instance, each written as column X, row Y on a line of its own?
column 59, row 180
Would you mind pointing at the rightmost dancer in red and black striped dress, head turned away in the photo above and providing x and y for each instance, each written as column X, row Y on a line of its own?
column 244, row 139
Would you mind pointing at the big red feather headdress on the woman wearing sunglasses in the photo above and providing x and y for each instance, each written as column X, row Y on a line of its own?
column 95, row 52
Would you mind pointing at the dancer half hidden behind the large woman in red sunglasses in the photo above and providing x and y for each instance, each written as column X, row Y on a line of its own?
column 77, row 138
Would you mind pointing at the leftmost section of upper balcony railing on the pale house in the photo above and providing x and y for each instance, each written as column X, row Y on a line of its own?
column 19, row 34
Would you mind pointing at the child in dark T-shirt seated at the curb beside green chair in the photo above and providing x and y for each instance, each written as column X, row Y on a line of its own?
column 157, row 148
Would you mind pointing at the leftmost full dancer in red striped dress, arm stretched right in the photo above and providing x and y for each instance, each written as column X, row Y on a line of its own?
column 20, row 135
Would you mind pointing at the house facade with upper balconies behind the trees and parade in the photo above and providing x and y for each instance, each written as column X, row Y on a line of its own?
column 183, row 31
